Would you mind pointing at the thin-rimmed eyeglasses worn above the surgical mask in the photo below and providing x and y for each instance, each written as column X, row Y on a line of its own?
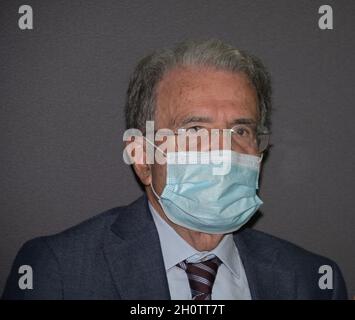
column 247, row 136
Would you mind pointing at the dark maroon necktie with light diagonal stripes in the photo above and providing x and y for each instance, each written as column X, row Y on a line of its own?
column 201, row 277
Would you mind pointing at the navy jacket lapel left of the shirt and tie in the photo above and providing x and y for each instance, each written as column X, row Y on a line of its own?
column 134, row 255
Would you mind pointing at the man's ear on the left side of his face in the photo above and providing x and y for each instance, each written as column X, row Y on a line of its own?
column 136, row 151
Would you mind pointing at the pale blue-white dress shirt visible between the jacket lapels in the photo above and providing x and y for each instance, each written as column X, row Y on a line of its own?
column 231, row 281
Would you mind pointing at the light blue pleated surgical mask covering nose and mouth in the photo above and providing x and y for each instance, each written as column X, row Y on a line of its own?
column 212, row 192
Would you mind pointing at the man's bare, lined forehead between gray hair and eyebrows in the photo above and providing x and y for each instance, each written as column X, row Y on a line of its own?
column 204, row 92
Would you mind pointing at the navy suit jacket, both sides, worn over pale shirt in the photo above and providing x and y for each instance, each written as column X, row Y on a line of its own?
column 117, row 255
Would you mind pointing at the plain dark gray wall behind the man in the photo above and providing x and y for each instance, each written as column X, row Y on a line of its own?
column 62, row 89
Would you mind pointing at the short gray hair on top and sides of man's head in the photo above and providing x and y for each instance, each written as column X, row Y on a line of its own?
column 141, row 93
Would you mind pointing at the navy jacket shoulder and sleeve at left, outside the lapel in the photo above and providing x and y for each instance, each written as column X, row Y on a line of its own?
column 57, row 261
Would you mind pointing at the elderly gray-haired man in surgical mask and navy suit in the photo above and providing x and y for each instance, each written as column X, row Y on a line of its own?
column 183, row 239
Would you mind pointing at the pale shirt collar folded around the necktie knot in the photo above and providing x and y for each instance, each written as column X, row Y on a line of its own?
column 175, row 249
